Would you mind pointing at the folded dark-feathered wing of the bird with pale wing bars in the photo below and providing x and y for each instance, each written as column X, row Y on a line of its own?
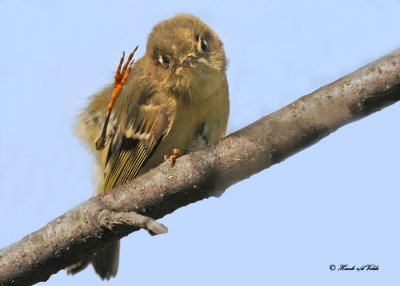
column 133, row 144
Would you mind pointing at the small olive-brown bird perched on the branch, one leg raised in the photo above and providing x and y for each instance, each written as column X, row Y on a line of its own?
column 176, row 97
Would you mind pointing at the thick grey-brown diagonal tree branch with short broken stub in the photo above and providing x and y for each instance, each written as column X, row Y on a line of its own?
column 89, row 226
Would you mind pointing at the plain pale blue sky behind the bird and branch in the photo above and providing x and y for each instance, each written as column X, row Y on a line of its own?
column 333, row 203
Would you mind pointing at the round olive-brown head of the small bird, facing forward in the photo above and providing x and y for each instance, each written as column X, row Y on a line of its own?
column 187, row 56
